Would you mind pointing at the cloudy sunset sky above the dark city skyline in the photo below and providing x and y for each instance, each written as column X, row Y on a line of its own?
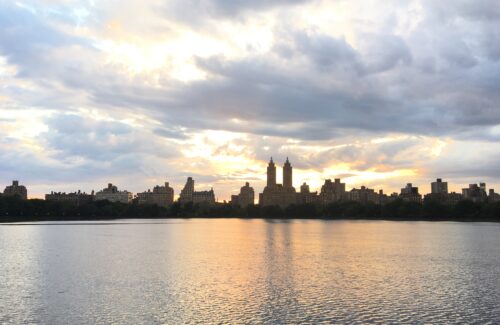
column 140, row 92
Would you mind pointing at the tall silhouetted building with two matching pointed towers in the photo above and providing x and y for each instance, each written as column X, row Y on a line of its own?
column 277, row 194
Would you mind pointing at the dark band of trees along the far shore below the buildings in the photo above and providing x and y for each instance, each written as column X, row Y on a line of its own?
column 15, row 209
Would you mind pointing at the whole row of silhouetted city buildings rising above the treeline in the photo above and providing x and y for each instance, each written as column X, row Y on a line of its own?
column 274, row 194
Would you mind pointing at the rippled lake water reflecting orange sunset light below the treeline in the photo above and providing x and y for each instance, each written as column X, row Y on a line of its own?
column 250, row 271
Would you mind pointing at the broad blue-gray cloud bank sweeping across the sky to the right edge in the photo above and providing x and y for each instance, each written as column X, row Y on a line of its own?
column 379, row 88
